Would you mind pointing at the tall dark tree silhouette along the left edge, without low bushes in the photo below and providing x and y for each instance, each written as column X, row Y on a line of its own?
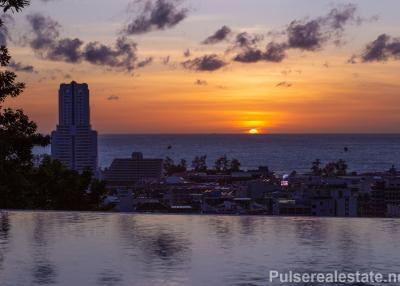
column 18, row 134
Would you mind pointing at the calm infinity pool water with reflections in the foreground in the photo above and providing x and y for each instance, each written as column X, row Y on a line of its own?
column 45, row 248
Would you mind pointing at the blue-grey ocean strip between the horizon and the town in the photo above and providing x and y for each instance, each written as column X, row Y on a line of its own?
column 281, row 153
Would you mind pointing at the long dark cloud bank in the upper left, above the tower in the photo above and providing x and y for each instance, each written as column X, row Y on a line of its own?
column 45, row 40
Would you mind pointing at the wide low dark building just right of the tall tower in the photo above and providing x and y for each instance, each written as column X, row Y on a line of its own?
column 127, row 172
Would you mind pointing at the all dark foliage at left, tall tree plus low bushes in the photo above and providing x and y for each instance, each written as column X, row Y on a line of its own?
column 22, row 184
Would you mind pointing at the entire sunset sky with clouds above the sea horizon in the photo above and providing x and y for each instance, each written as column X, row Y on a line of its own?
column 303, row 66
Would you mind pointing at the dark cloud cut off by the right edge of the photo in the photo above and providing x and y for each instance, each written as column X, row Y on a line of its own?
column 382, row 49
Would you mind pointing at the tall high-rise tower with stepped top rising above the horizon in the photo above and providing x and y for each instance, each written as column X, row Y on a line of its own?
column 74, row 143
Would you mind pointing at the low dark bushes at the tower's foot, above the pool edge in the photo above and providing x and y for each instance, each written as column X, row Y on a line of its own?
column 51, row 186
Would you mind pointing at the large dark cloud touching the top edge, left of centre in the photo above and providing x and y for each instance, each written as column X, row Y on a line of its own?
column 156, row 15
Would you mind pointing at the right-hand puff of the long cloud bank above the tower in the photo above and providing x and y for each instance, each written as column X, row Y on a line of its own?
column 122, row 56
